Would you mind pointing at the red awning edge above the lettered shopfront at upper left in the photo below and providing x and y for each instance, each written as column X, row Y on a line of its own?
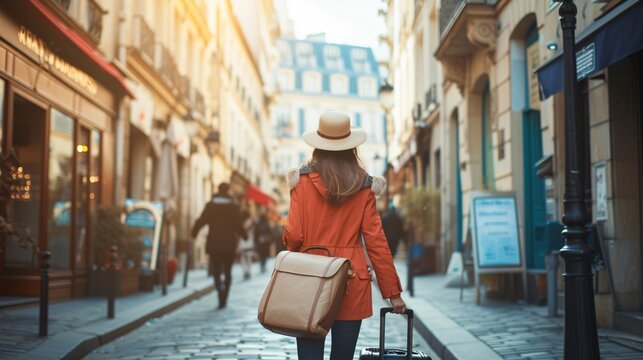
column 52, row 20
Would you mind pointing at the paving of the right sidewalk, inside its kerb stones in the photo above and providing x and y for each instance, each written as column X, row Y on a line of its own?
column 514, row 331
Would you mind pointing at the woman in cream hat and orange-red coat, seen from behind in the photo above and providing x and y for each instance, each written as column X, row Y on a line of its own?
column 332, row 202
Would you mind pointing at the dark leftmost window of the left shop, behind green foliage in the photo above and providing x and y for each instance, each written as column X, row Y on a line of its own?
column 28, row 137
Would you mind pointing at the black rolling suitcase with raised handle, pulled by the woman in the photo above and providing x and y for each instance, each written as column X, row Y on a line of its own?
column 382, row 353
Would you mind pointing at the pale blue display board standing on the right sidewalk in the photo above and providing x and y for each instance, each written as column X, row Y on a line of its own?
column 495, row 236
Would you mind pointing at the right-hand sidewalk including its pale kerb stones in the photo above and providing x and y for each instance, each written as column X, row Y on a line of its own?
column 496, row 330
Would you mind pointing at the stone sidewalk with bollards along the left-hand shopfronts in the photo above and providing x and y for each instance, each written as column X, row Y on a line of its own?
column 78, row 326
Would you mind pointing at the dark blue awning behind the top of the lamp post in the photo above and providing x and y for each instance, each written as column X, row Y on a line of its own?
column 606, row 41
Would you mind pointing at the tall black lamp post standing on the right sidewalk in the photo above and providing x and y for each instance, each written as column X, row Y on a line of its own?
column 581, row 340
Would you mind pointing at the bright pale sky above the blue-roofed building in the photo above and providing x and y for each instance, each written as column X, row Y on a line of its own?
column 353, row 22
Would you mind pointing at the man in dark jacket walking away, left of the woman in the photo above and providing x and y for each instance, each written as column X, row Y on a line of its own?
column 223, row 218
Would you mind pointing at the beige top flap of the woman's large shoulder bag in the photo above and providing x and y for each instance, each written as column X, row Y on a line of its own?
column 308, row 264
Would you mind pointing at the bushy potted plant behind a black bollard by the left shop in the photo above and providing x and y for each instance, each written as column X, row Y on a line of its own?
column 107, row 231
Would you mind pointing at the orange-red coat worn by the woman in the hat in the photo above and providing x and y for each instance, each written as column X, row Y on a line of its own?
column 313, row 221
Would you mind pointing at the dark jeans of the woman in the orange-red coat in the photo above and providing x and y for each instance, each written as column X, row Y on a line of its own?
column 344, row 334
